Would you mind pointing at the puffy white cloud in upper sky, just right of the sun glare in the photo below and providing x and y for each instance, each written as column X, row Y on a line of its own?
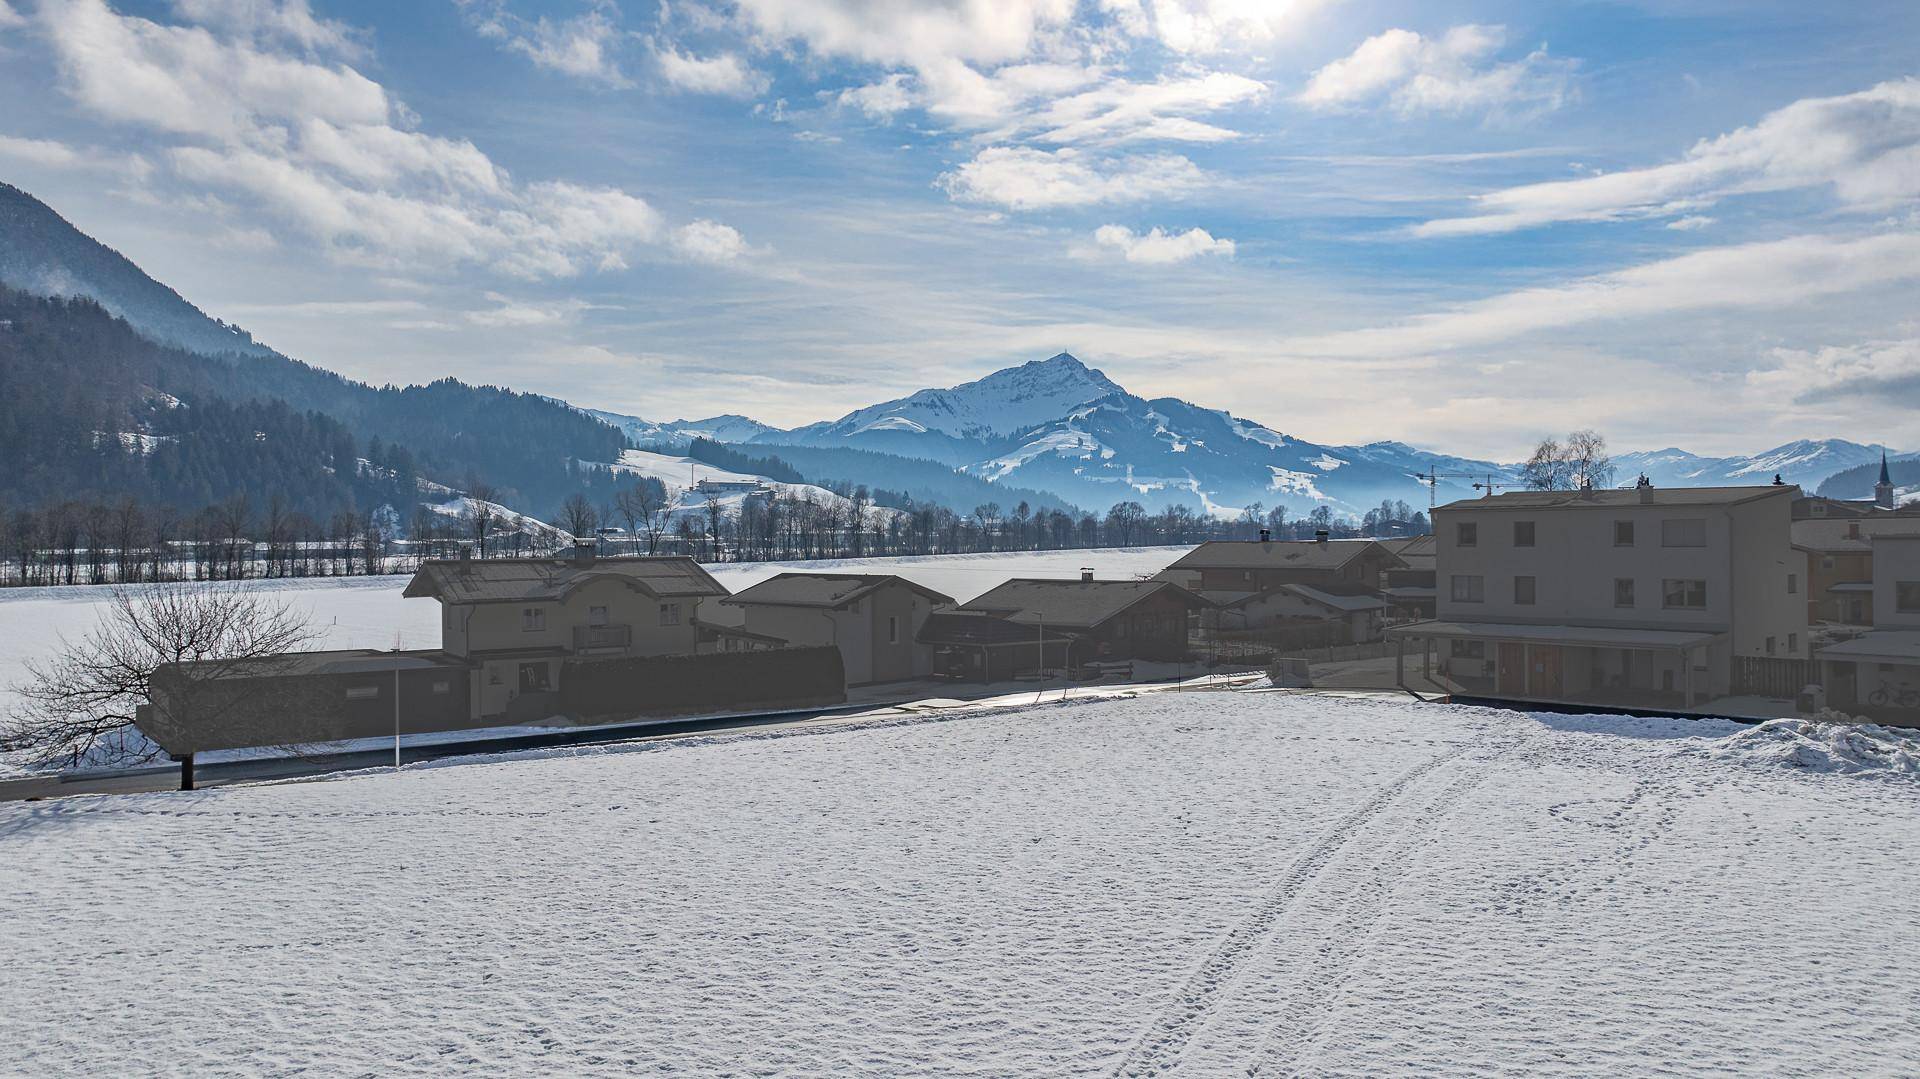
column 1452, row 74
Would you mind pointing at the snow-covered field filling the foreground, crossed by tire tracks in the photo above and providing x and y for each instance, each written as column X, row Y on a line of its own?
column 1203, row 884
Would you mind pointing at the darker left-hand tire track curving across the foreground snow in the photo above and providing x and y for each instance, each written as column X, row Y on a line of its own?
column 1155, row 1051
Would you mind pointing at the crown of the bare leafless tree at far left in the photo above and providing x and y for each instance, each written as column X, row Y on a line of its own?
column 82, row 704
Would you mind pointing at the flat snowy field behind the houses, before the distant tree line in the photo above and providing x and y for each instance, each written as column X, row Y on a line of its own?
column 370, row 613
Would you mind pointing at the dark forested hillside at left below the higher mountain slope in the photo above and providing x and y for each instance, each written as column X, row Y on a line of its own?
column 93, row 410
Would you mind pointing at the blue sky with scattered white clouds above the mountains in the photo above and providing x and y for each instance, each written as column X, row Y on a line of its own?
column 1460, row 226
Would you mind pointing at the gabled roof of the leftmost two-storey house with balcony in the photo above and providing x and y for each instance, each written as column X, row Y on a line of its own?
column 521, row 581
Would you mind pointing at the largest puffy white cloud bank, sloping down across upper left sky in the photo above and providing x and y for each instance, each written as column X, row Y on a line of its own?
column 327, row 153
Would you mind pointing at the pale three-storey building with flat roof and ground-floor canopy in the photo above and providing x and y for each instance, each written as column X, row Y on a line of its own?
column 1639, row 598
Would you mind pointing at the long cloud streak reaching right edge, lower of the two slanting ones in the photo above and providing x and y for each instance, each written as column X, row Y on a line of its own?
column 1767, row 276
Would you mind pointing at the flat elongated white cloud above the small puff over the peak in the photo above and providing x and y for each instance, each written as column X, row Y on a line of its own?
column 1038, row 180
